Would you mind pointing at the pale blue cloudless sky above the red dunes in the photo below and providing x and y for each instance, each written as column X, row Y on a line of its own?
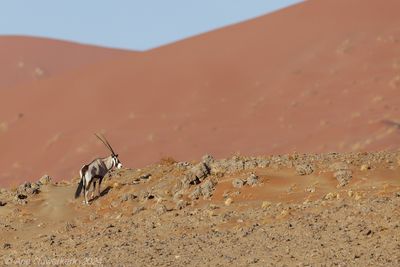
column 129, row 24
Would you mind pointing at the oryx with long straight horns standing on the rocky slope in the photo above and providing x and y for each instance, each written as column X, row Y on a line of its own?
column 96, row 170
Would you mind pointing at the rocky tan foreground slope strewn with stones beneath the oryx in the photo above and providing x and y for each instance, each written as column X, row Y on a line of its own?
column 295, row 213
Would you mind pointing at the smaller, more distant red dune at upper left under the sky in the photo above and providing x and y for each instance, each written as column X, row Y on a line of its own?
column 27, row 59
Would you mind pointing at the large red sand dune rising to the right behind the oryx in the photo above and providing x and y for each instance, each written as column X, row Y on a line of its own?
column 318, row 76
